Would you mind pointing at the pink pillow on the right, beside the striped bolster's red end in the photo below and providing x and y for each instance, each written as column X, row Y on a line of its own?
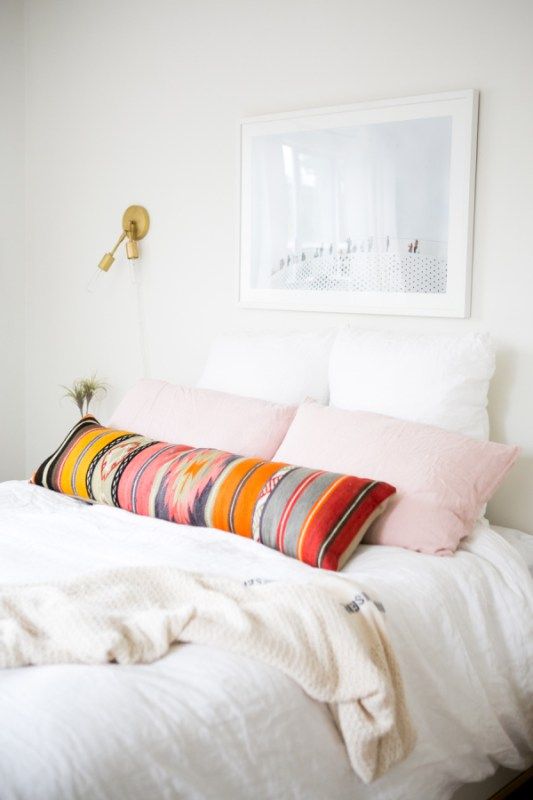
column 442, row 478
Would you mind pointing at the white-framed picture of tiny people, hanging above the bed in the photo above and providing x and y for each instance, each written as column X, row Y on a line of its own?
column 365, row 208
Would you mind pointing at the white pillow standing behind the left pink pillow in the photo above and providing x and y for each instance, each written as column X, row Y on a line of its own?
column 280, row 367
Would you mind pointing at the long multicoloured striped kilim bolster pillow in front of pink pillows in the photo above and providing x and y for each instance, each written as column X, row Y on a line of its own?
column 318, row 517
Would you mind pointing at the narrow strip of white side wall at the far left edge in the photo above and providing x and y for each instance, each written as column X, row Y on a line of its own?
column 12, row 239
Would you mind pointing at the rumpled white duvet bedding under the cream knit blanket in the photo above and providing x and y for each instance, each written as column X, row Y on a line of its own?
column 203, row 723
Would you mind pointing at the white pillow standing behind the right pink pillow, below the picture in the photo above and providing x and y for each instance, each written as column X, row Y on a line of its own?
column 439, row 380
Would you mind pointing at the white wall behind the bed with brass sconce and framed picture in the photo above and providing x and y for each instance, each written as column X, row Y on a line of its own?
column 135, row 102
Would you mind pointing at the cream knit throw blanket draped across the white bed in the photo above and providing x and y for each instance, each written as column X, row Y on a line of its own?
column 325, row 635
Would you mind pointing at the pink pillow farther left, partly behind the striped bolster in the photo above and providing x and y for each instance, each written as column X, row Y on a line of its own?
column 204, row 418
